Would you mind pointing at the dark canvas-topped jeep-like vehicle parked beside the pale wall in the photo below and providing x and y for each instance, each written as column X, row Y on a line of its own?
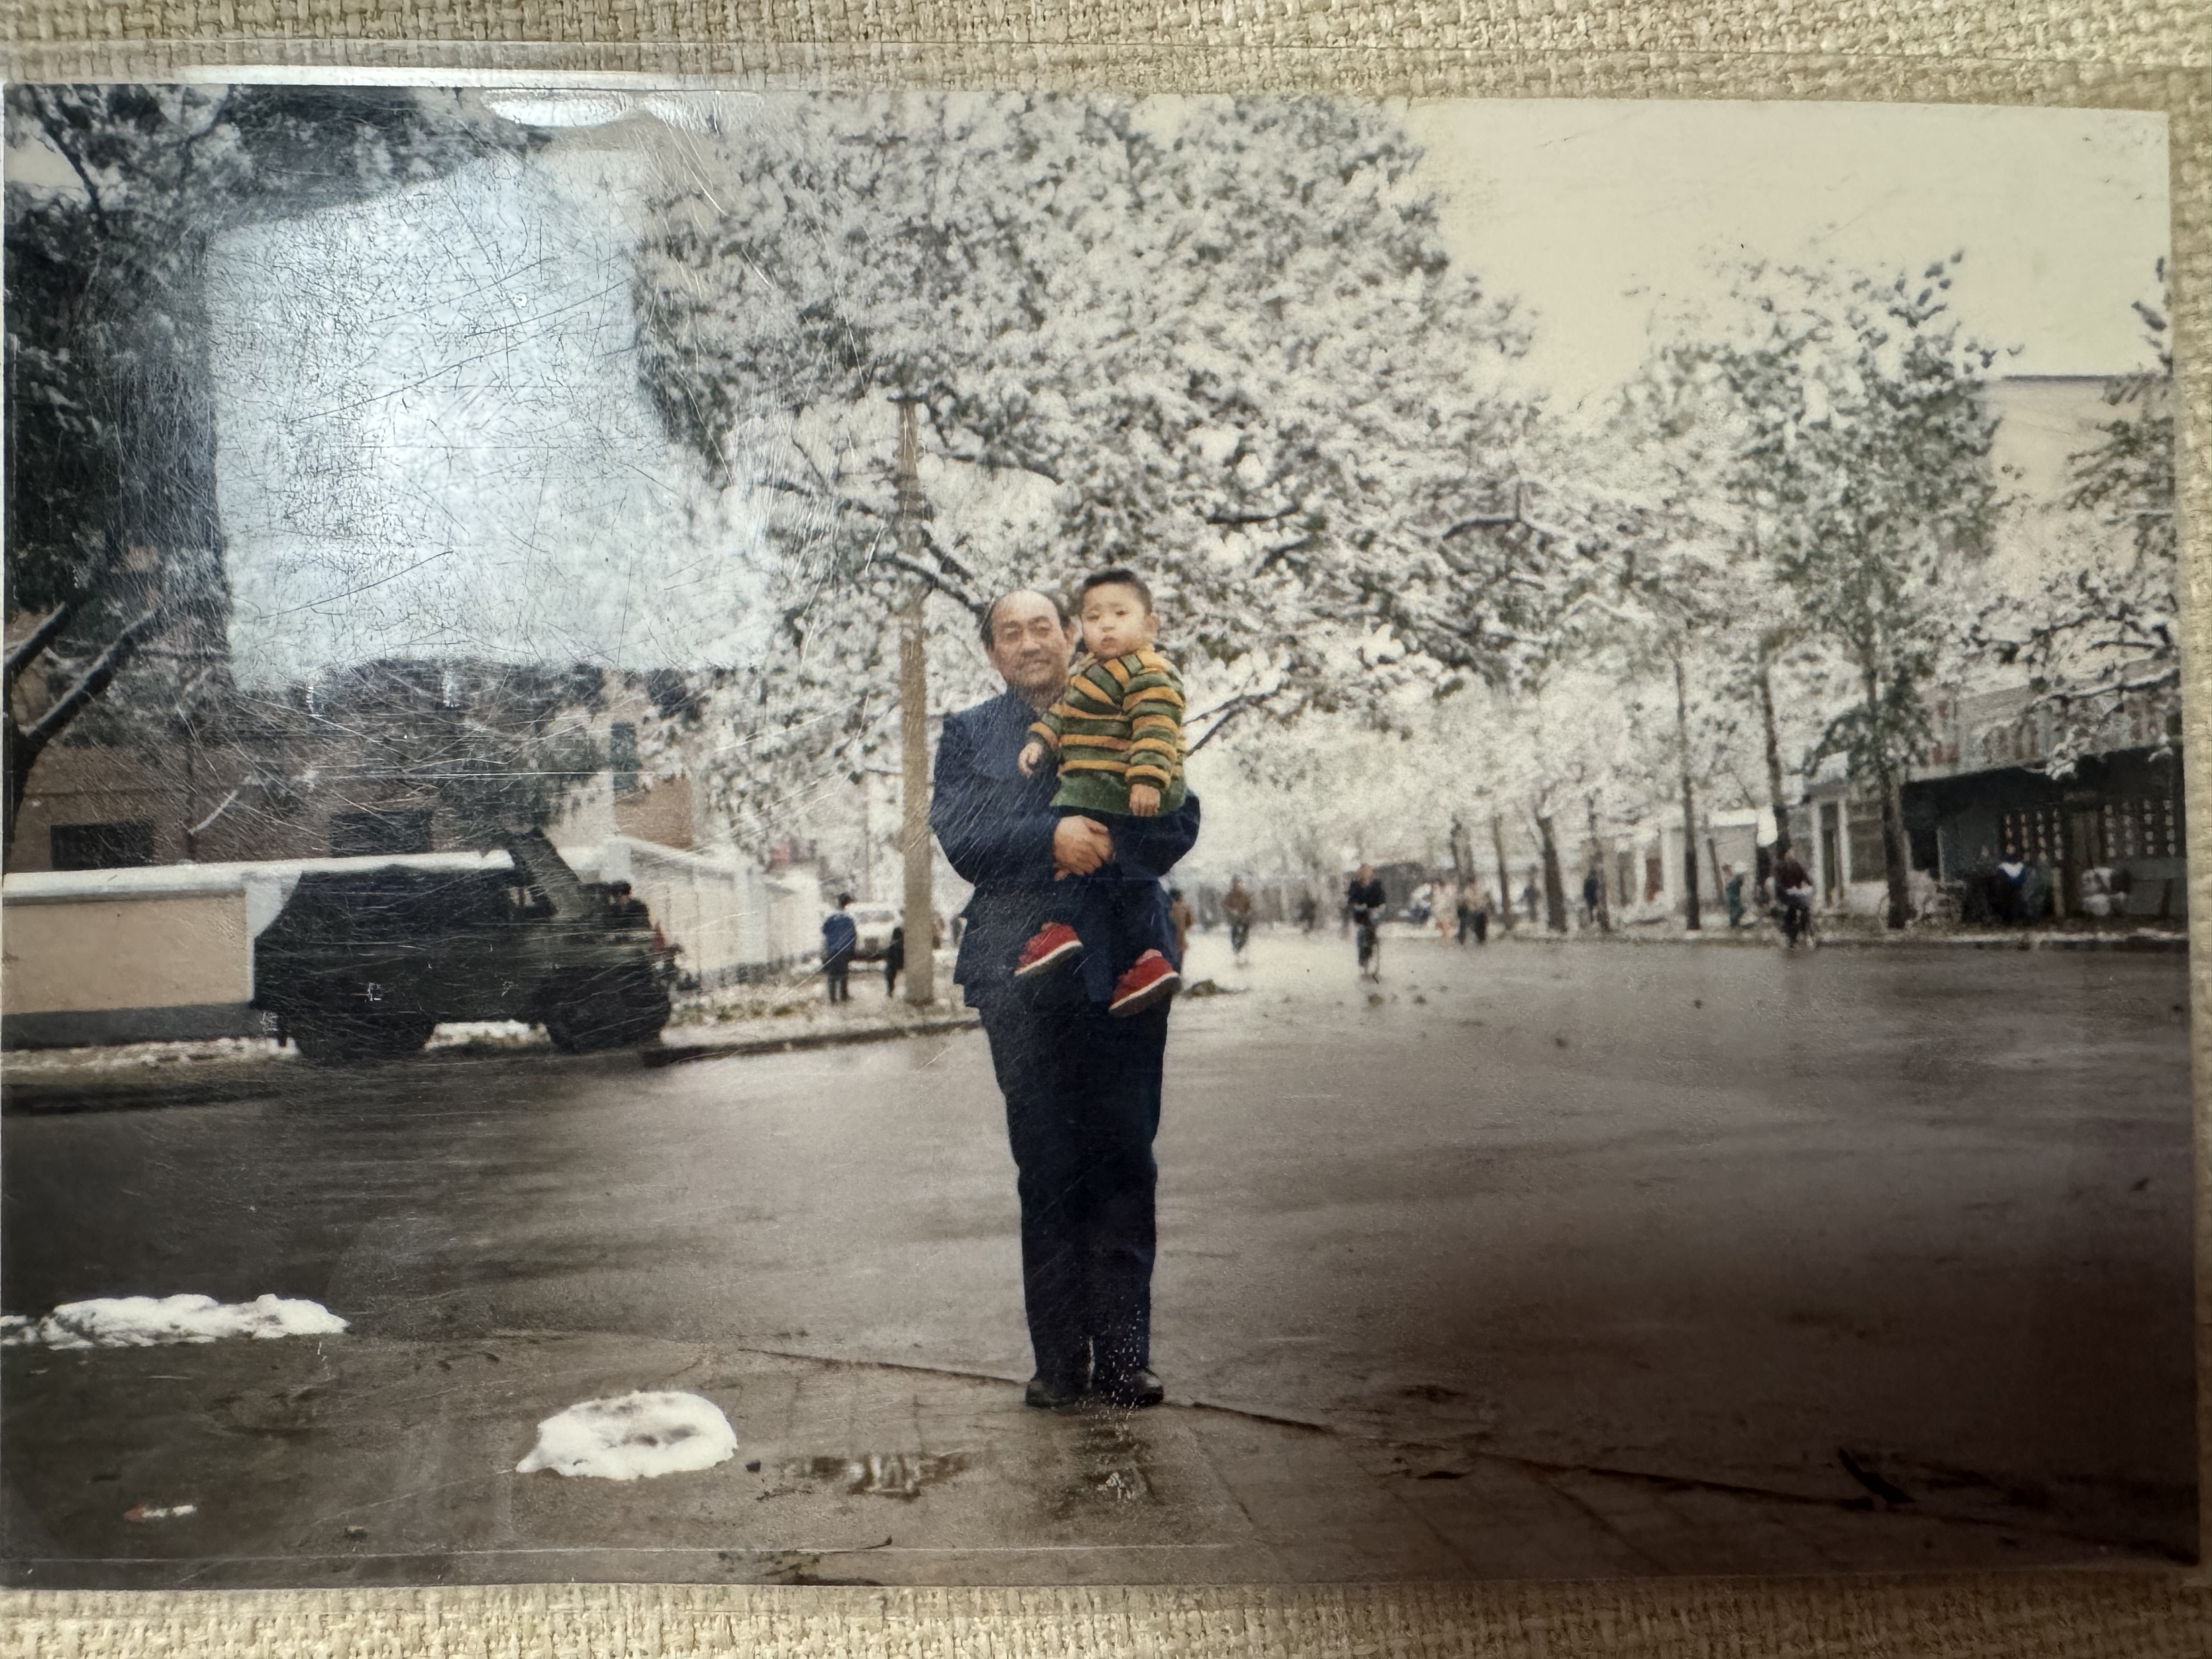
column 364, row 966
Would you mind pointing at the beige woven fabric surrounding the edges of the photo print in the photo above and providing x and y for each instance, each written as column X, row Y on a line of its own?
column 2138, row 54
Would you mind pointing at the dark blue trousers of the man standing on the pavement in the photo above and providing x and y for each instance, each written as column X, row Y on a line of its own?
column 1083, row 1109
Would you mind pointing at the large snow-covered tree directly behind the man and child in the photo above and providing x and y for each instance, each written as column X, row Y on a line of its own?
column 1218, row 340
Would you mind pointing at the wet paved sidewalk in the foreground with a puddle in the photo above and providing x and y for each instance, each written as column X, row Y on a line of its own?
column 373, row 1461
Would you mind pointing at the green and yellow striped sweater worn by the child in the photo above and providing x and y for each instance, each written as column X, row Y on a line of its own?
column 1118, row 722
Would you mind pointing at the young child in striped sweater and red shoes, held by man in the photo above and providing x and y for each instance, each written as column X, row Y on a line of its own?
column 1118, row 731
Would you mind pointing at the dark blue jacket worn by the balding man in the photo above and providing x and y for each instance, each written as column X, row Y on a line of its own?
column 997, row 831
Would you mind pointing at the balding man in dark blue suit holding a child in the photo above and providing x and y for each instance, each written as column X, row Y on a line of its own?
column 1083, row 1089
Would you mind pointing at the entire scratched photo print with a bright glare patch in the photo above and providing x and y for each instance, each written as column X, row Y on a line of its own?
column 623, row 968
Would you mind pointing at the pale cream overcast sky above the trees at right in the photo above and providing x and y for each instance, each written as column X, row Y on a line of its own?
column 1600, row 216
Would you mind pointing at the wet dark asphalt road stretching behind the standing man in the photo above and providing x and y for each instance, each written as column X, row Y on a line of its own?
column 1695, row 1213
